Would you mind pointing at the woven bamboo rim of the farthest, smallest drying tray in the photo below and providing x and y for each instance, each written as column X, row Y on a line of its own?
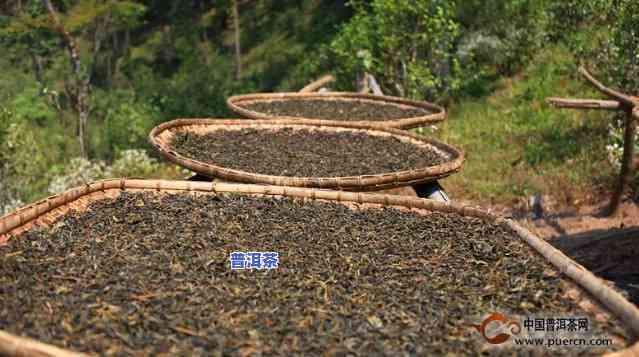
column 236, row 103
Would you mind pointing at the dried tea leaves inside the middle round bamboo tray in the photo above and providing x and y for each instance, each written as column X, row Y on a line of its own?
column 304, row 152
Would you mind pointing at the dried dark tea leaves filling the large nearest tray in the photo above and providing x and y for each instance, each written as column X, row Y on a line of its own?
column 149, row 273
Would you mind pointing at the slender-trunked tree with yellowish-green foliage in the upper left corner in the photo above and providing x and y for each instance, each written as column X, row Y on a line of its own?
column 81, row 29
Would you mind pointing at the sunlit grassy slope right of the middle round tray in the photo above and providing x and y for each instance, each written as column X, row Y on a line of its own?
column 516, row 145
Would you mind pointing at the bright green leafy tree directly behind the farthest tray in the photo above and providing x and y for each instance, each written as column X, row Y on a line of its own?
column 407, row 45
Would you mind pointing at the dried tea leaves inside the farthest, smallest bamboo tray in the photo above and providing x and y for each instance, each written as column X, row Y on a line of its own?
column 347, row 110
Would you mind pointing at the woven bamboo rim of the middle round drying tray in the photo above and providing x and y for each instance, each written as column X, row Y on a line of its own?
column 160, row 138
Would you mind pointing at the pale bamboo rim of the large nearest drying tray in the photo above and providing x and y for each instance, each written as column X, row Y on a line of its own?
column 46, row 212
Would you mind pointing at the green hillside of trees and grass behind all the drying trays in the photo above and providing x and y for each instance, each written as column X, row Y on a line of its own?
column 74, row 113
